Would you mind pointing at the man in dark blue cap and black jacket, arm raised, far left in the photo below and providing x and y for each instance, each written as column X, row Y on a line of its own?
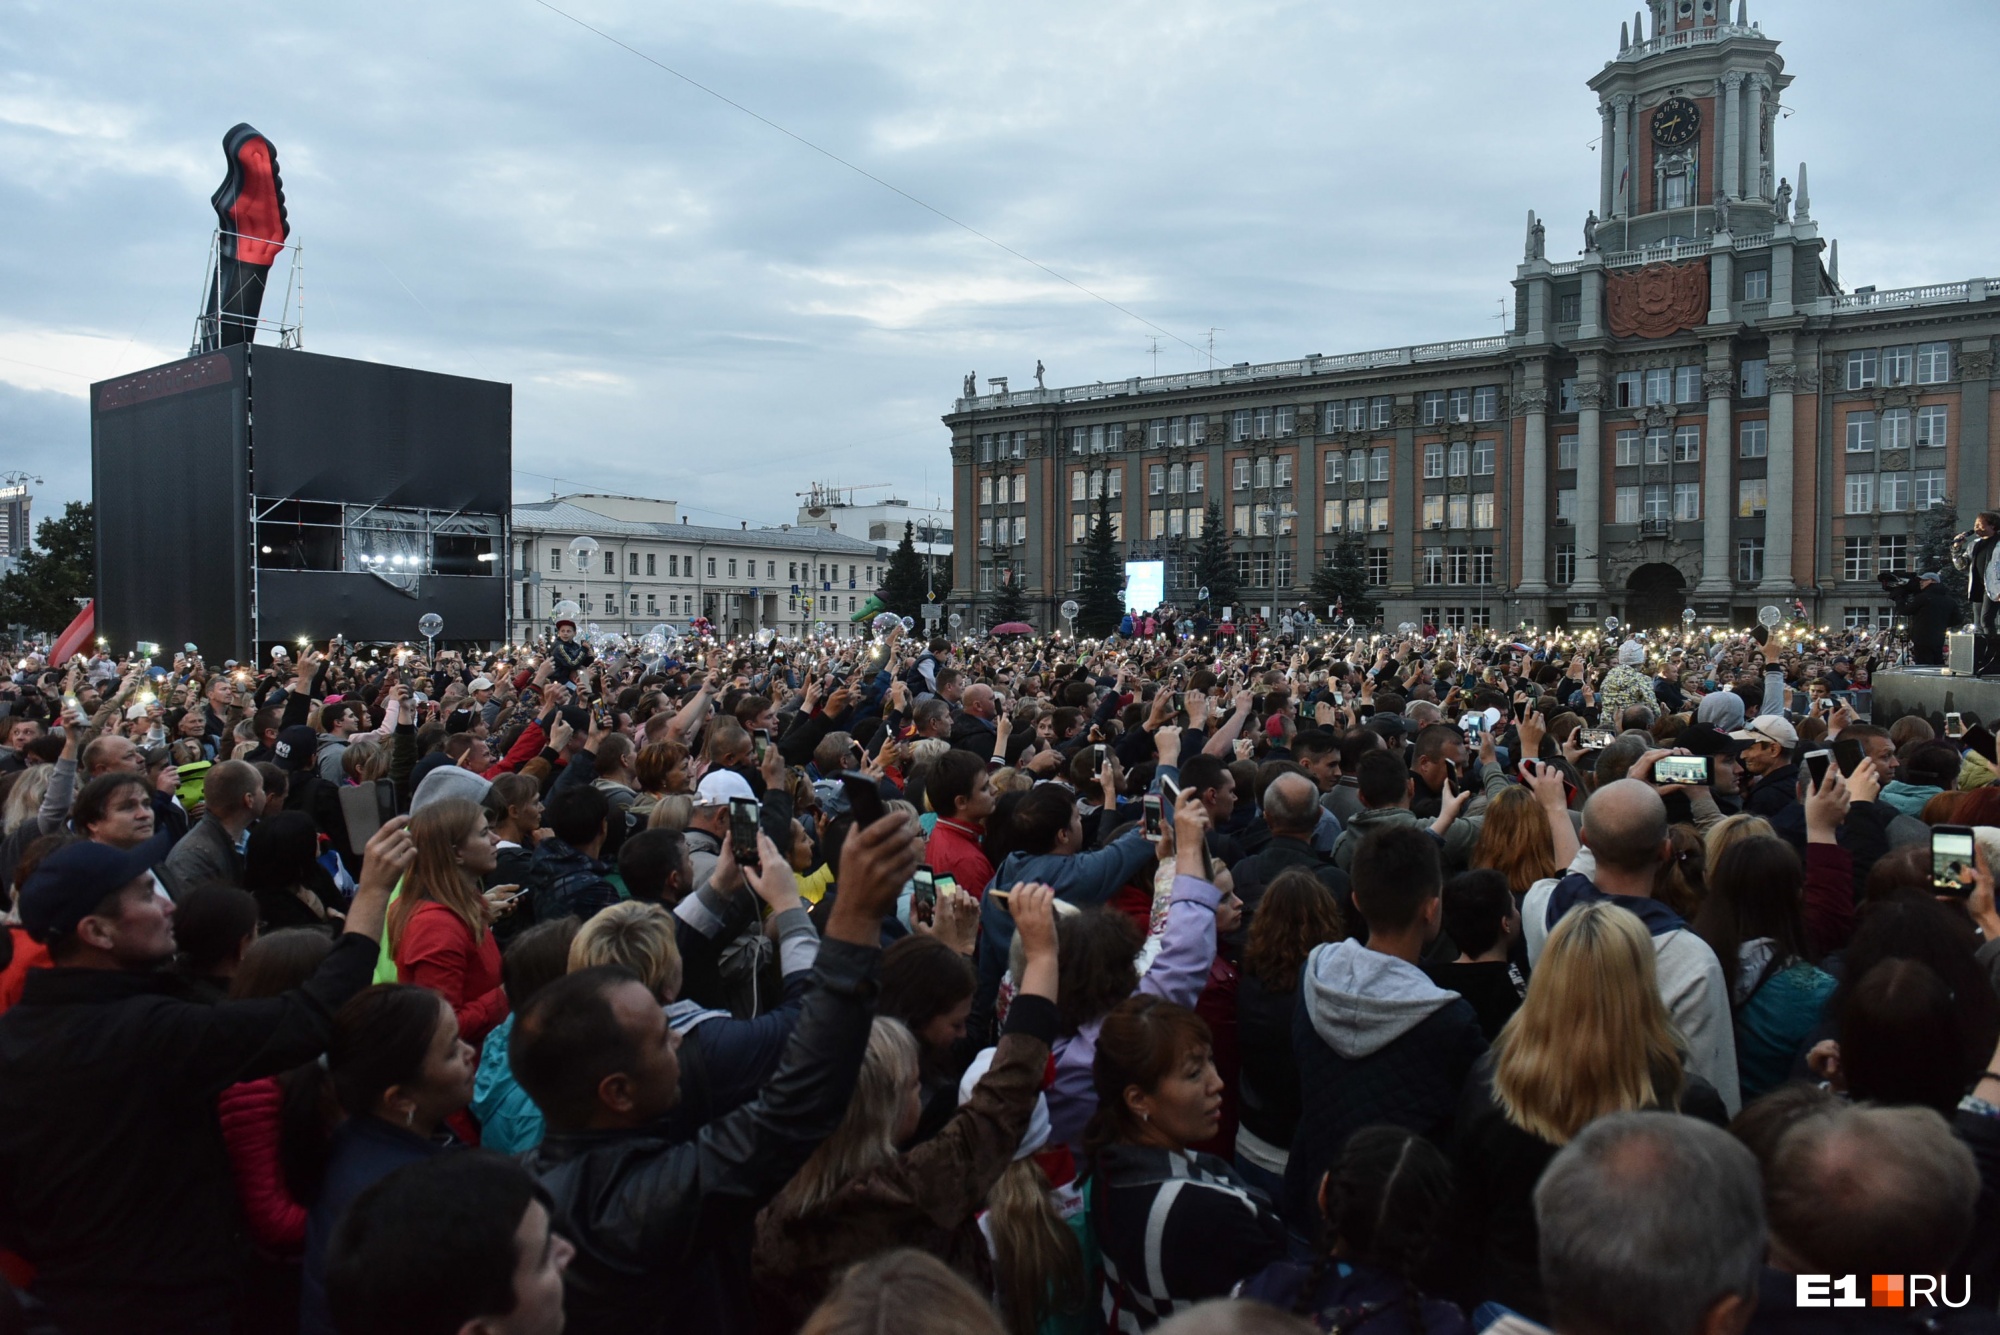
column 113, row 1176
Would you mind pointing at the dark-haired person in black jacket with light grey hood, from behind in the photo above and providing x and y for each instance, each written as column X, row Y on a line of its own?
column 1375, row 1038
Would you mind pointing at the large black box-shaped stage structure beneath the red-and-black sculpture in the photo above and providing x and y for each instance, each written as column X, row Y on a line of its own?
column 257, row 495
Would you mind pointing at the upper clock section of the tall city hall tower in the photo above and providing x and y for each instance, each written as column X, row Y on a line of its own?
column 1689, row 109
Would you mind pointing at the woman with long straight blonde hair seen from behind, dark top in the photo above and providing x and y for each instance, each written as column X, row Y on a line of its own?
column 1591, row 1038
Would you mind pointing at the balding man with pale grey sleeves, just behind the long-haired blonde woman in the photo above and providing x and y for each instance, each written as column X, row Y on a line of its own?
column 1625, row 848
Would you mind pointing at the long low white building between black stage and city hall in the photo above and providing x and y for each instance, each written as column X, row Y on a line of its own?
column 653, row 567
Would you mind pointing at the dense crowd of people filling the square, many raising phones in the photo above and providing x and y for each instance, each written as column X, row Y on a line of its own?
column 1583, row 982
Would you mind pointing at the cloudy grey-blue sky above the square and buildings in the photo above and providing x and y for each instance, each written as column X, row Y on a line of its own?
column 693, row 305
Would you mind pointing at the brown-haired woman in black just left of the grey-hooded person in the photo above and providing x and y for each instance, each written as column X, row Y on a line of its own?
column 1295, row 914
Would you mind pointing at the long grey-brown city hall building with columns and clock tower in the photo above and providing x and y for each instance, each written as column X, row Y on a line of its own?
column 1693, row 415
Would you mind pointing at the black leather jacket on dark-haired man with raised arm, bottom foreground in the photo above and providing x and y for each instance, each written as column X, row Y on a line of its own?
column 663, row 1230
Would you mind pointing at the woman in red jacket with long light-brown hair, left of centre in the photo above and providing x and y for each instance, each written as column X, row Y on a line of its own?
column 439, row 928
